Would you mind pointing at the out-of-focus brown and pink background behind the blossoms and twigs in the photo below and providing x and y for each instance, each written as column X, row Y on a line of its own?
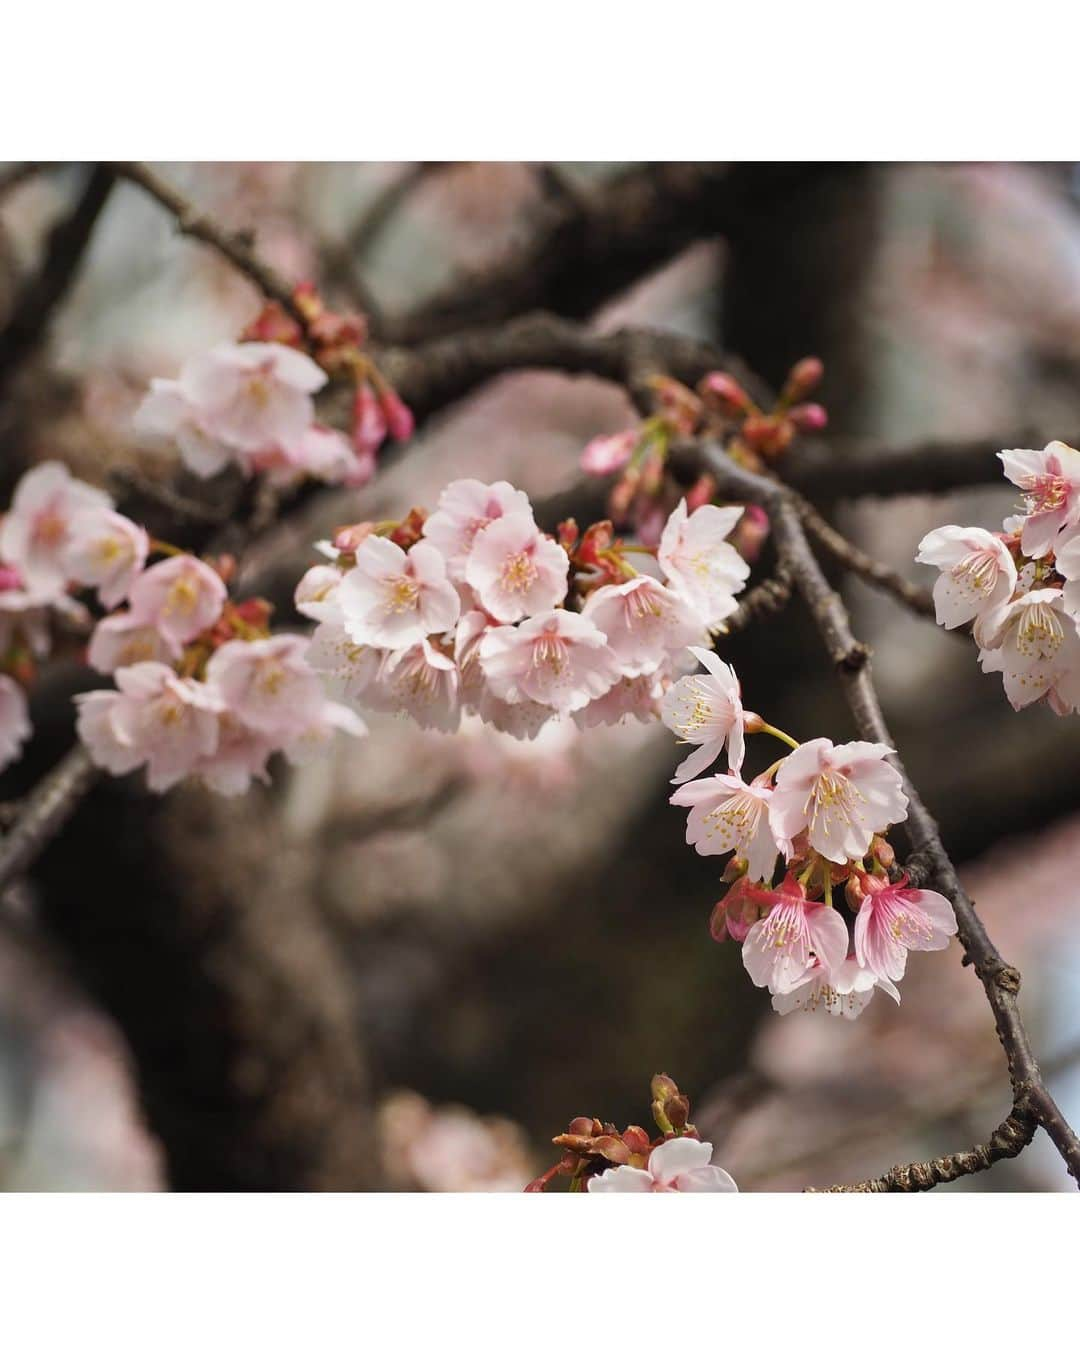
column 411, row 963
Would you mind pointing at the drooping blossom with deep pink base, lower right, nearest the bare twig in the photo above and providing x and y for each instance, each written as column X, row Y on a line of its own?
column 894, row 920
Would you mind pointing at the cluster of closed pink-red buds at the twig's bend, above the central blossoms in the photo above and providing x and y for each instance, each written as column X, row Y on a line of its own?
column 719, row 408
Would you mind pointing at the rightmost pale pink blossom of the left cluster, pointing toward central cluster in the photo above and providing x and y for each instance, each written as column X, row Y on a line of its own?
column 268, row 685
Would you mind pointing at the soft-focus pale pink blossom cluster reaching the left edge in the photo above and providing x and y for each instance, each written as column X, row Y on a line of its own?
column 202, row 686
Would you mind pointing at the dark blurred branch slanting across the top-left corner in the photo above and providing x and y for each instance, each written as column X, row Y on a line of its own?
column 40, row 296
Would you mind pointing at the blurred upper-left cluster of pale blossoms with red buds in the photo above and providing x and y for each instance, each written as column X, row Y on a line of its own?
column 252, row 403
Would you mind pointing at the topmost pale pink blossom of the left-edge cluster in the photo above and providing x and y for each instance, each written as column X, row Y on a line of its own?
column 37, row 529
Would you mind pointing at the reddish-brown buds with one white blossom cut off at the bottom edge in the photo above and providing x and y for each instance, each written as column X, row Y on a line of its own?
column 600, row 1158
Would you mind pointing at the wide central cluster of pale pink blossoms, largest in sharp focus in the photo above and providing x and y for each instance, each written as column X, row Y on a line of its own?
column 475, row 610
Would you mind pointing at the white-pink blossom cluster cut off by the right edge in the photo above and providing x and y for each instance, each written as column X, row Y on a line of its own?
column 1020, row 588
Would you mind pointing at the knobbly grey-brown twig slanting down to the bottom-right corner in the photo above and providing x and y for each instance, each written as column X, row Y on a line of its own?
column 851, row 658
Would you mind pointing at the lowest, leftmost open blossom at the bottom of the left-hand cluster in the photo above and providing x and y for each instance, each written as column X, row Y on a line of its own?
column 153, row 718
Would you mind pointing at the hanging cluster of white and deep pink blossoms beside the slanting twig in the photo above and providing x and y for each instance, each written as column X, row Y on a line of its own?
column 823, row 811
